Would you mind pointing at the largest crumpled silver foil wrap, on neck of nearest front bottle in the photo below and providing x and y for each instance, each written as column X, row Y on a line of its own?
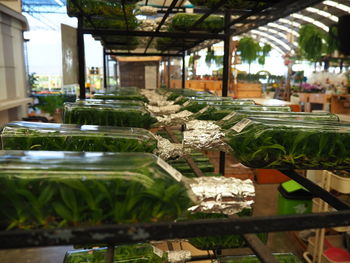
column 226, row 195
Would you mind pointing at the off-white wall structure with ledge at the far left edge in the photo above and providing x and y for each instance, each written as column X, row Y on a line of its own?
column 13, row 97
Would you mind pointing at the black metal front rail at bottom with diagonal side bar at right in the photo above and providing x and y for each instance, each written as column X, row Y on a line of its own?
column 132, row 233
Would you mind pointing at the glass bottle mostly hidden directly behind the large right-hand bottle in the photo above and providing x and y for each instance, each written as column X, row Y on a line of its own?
column 293, row 116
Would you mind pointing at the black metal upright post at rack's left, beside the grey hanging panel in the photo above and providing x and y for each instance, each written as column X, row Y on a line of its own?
column 81, row 59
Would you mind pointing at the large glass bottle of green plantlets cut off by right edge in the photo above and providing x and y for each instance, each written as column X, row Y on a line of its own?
column 284, row 144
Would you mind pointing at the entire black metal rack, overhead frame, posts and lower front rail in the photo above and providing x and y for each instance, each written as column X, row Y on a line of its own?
column 236, row 22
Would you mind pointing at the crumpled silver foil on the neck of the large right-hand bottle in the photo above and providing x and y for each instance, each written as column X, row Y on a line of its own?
column 204, row 135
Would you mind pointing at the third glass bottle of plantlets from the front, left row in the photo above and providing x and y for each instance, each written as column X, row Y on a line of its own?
column 108, row 115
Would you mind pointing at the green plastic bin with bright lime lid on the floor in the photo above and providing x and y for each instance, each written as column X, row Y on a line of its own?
column 293, row 199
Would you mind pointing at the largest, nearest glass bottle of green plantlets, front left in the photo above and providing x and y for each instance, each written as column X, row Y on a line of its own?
column 72, row 191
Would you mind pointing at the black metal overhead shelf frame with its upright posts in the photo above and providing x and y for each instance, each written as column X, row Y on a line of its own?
column 236, row 22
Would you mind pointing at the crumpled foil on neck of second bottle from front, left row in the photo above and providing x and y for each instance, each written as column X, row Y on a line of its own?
column 167, row 150
